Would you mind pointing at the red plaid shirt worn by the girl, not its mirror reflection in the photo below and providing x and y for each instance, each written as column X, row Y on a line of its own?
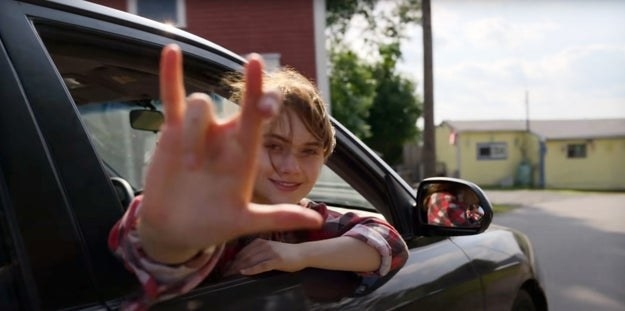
column 162, row 282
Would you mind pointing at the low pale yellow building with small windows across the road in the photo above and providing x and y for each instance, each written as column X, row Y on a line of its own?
column 571, row 154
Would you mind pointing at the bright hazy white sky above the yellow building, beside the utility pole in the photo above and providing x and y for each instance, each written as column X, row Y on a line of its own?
column 565, row 59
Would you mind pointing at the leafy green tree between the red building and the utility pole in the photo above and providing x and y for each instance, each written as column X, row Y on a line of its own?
column 369, row 97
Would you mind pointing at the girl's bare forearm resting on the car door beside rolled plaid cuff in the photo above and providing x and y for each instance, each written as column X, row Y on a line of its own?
column 341, row 253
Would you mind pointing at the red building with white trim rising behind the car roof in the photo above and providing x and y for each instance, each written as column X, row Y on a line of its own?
column 285, row 32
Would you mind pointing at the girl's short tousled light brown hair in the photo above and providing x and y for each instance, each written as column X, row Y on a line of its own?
column 299, row 96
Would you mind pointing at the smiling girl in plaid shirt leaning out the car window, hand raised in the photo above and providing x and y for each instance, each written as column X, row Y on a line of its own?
column 221, row 196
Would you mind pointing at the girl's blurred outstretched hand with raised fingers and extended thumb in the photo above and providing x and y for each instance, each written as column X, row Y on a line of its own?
column 199, row 182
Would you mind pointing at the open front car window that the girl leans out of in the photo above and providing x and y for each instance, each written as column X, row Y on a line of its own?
column 109, row 78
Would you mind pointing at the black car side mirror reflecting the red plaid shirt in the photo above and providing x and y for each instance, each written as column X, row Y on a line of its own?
column 451, row 206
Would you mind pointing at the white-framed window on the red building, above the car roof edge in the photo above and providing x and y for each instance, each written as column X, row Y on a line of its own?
column 165, row 11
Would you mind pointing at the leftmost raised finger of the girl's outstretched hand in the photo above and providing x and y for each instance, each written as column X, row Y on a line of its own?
column 171, row 84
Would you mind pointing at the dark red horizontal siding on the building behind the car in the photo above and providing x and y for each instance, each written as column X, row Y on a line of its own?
column 279, row 26
